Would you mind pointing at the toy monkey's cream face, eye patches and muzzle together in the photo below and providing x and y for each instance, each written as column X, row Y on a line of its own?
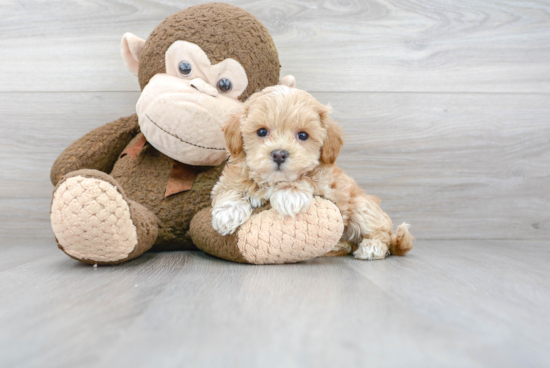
column 182, row 112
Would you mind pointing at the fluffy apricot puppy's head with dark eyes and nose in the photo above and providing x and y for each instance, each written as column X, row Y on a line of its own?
column 282, row 133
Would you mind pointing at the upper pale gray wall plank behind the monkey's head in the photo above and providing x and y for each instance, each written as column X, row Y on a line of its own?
column 409, row 45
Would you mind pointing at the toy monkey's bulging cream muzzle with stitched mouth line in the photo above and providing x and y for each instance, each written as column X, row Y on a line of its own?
column 184, row 124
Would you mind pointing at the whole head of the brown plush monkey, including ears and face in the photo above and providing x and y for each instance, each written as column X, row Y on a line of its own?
column 195, row 69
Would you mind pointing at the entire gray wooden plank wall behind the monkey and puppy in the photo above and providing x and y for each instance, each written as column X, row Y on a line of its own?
column 446, row 104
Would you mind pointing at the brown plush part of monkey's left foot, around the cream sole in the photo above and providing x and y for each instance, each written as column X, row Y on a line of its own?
column 145, row 222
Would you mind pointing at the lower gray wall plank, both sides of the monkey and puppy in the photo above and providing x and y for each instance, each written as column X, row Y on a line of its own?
column 455, row 166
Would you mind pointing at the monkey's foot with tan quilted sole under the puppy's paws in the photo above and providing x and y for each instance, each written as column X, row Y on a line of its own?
column 268, row 238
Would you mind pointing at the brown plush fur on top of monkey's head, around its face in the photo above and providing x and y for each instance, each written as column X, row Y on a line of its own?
column 222, row 31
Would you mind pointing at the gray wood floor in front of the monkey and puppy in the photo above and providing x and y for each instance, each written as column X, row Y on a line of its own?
column 448, row 303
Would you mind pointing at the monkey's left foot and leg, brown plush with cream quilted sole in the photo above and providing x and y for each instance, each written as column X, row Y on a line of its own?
column 94, row 221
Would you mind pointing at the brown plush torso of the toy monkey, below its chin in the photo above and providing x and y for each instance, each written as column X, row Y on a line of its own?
column 144, row 180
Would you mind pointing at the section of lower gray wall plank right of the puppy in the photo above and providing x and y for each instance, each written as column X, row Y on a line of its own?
column 463, row 166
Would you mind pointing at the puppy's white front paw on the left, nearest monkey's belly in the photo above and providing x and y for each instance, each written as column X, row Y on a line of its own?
column 227, row 217
